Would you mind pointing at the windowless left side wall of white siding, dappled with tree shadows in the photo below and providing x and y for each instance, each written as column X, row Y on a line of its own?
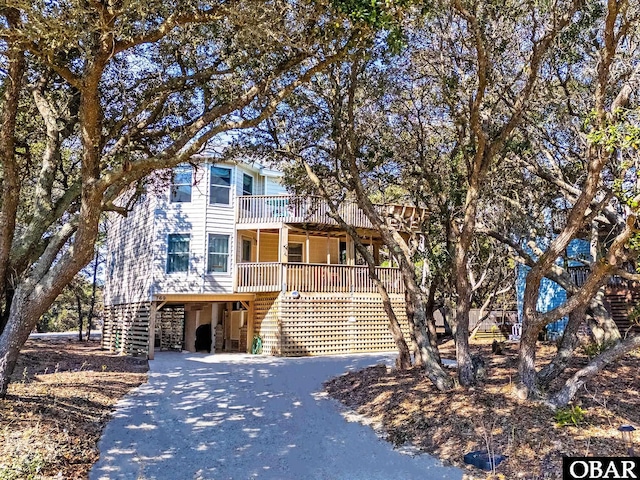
column 129, row 276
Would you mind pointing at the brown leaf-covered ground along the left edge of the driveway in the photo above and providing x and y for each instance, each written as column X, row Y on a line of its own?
column 62, row 395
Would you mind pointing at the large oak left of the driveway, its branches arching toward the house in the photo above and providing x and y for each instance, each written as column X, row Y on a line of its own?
column 113, row 91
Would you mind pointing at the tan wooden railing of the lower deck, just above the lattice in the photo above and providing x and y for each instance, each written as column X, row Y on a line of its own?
column 317, row 278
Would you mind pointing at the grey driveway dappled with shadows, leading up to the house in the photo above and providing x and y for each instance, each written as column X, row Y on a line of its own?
column 240, row 417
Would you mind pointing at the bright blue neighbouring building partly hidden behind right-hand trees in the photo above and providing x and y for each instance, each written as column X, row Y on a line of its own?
column 551, row 294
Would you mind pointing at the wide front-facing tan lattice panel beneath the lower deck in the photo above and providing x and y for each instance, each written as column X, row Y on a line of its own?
column 337, row 324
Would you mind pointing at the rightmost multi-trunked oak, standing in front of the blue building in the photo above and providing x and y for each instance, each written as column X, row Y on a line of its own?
column 588, row 152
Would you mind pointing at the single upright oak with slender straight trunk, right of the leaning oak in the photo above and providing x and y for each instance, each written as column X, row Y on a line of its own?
column 483, row 63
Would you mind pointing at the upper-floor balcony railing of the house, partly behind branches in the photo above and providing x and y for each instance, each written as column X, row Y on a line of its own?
column 265, row 209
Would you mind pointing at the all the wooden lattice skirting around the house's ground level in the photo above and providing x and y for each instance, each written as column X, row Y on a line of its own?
column 312, row 324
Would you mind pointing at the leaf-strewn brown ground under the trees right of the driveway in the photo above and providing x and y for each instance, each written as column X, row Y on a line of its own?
column 448, row 425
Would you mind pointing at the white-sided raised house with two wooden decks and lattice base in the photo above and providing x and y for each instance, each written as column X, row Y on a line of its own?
column 223, row 253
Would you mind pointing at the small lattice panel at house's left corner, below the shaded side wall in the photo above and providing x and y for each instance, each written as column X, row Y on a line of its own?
column 126, row 328
